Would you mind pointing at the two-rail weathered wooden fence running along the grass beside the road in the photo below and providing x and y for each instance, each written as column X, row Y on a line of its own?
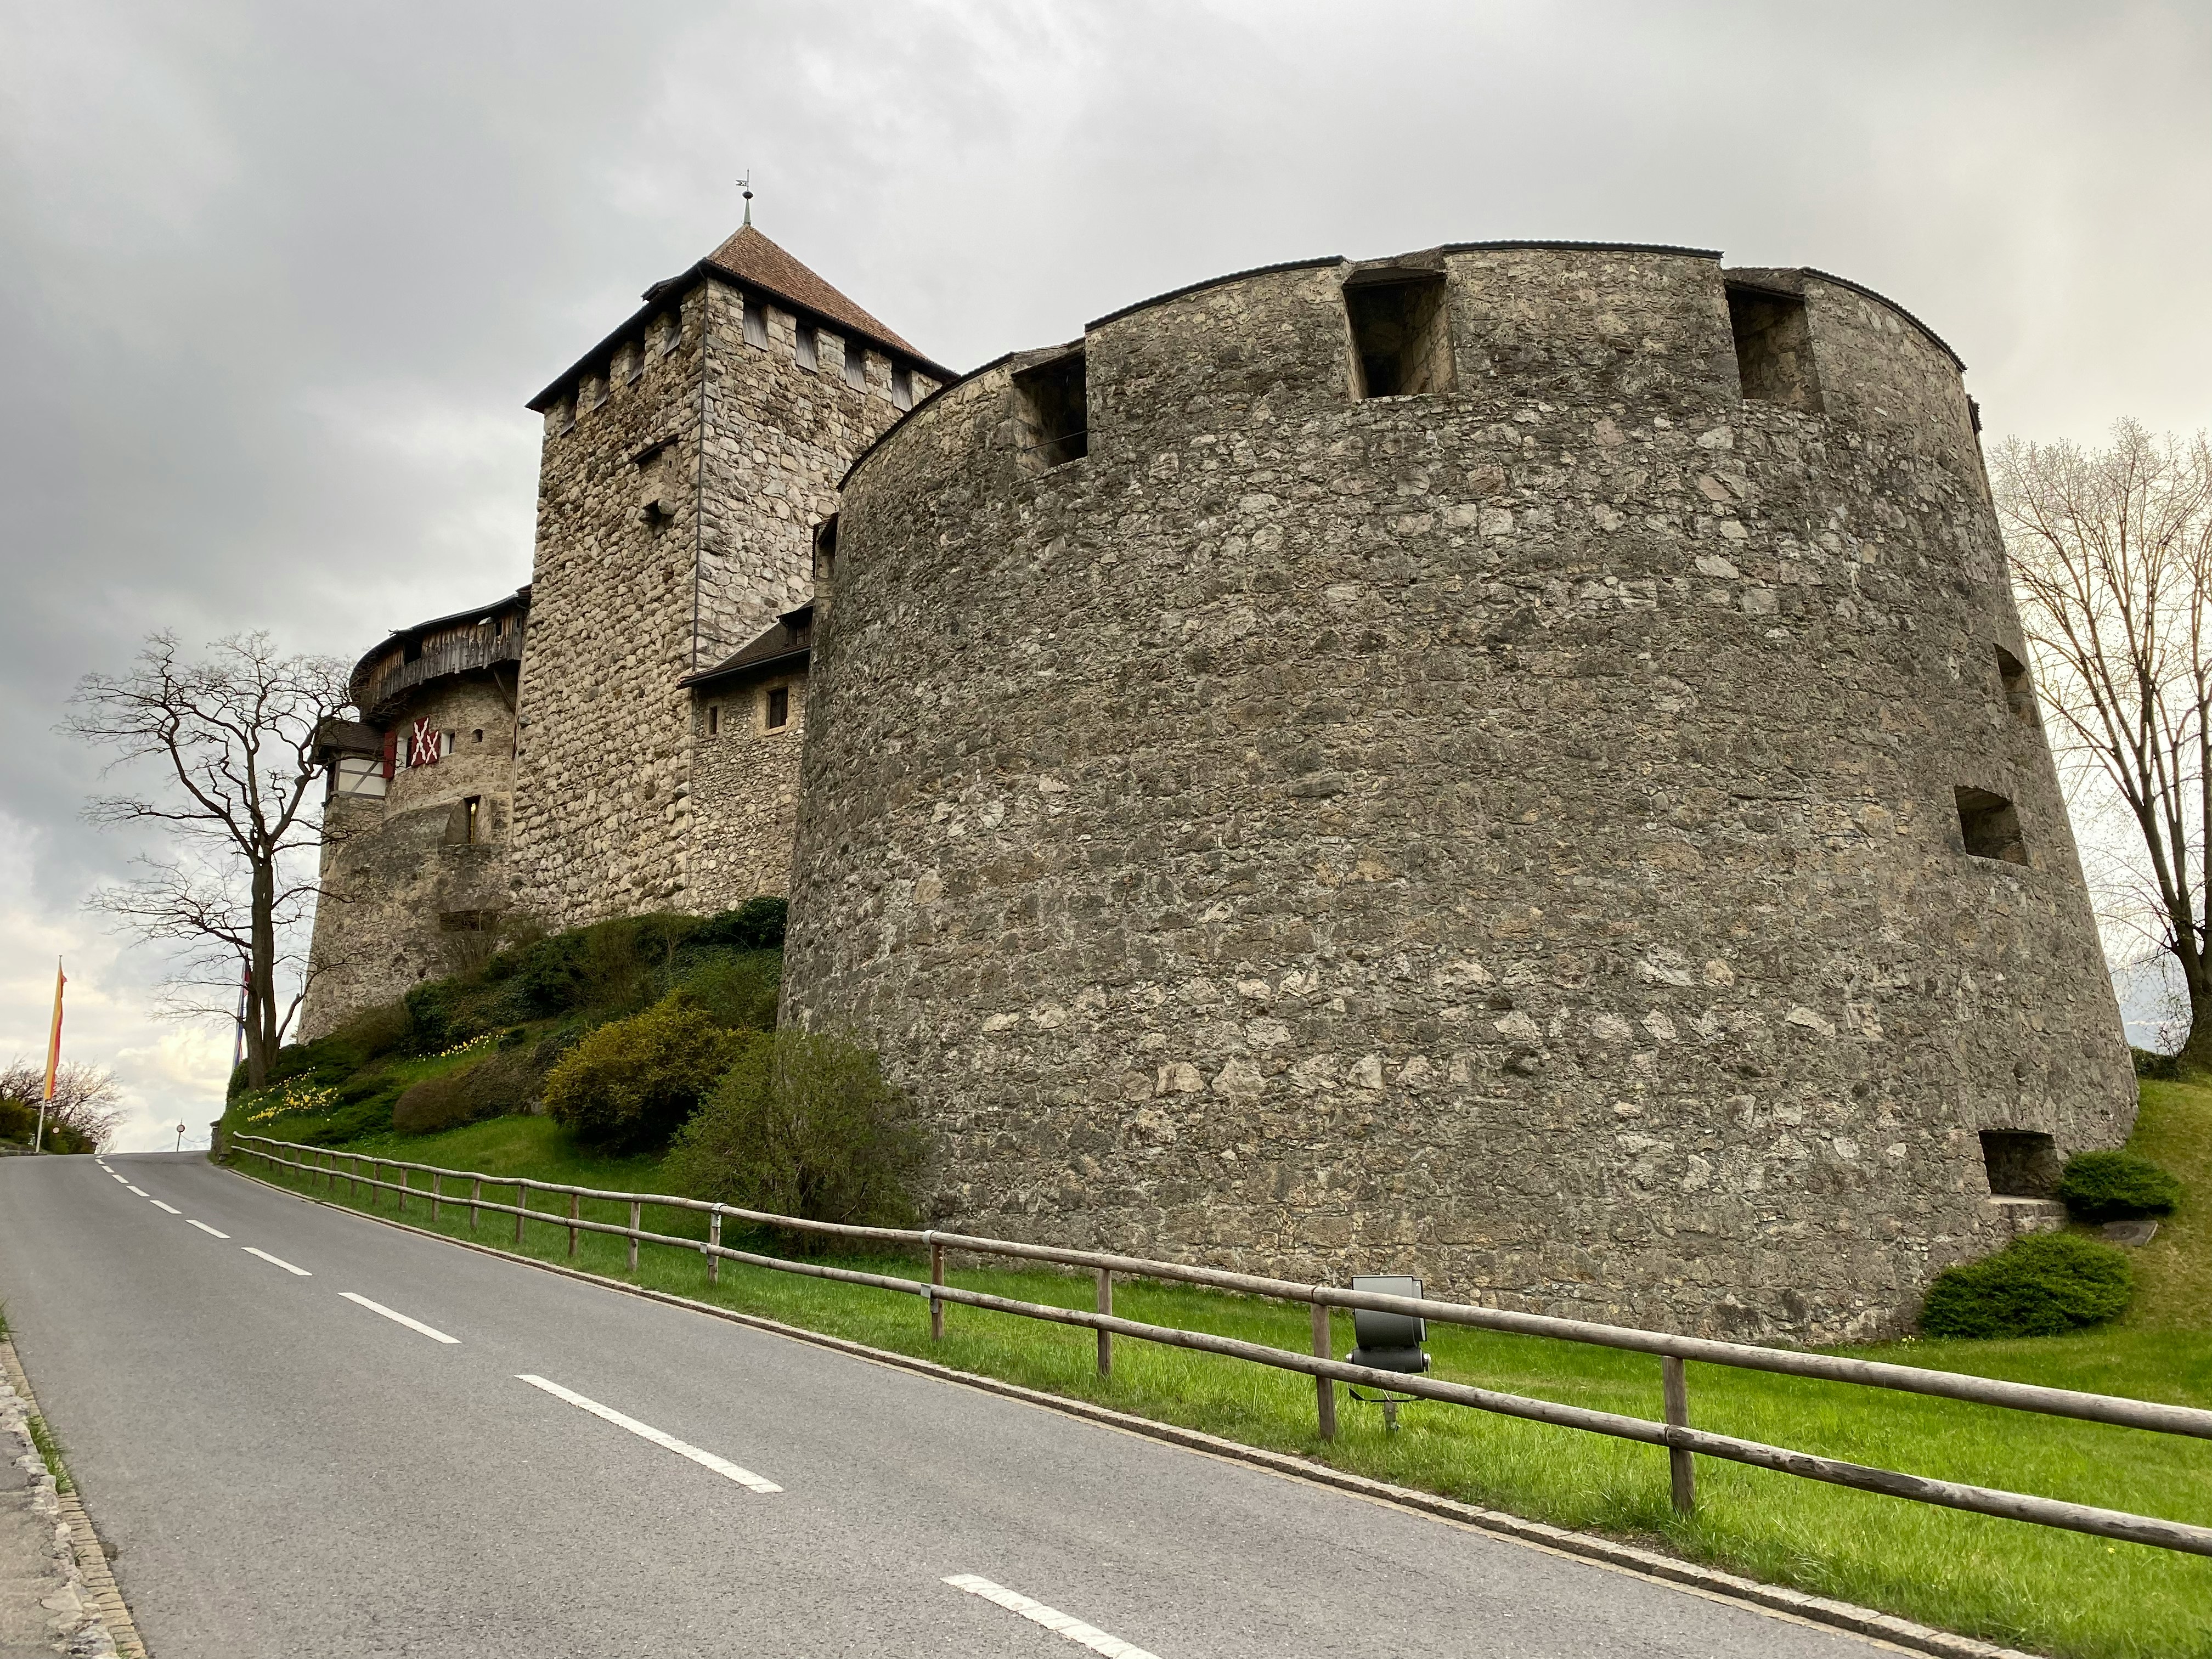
column 1673, row 1353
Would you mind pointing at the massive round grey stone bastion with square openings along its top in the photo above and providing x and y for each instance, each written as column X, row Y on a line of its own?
column 1507, row 764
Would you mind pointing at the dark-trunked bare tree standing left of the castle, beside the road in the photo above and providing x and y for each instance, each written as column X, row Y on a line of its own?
column 236, row 744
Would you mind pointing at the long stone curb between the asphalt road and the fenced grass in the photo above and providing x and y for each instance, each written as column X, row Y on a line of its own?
column 1627, row 1558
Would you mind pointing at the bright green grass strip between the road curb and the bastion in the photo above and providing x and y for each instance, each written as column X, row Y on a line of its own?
column 2001, row 1580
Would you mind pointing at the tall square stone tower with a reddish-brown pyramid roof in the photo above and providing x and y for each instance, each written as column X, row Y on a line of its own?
column 687, row 461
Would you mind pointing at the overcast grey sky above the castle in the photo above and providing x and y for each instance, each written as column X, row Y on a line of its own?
column 275, row 280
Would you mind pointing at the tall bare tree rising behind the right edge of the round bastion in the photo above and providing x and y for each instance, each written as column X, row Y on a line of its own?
column 2114, row 567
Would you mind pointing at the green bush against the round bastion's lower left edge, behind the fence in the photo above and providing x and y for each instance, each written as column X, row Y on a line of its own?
column 804, row 1125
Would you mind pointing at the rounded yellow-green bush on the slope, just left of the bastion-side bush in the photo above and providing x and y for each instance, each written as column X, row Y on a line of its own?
column 632, row 1085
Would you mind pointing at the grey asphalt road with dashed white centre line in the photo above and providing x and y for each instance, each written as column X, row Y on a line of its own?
column 289, row 1474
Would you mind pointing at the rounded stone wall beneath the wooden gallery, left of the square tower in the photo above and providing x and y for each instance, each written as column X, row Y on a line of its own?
column 406, row 893
